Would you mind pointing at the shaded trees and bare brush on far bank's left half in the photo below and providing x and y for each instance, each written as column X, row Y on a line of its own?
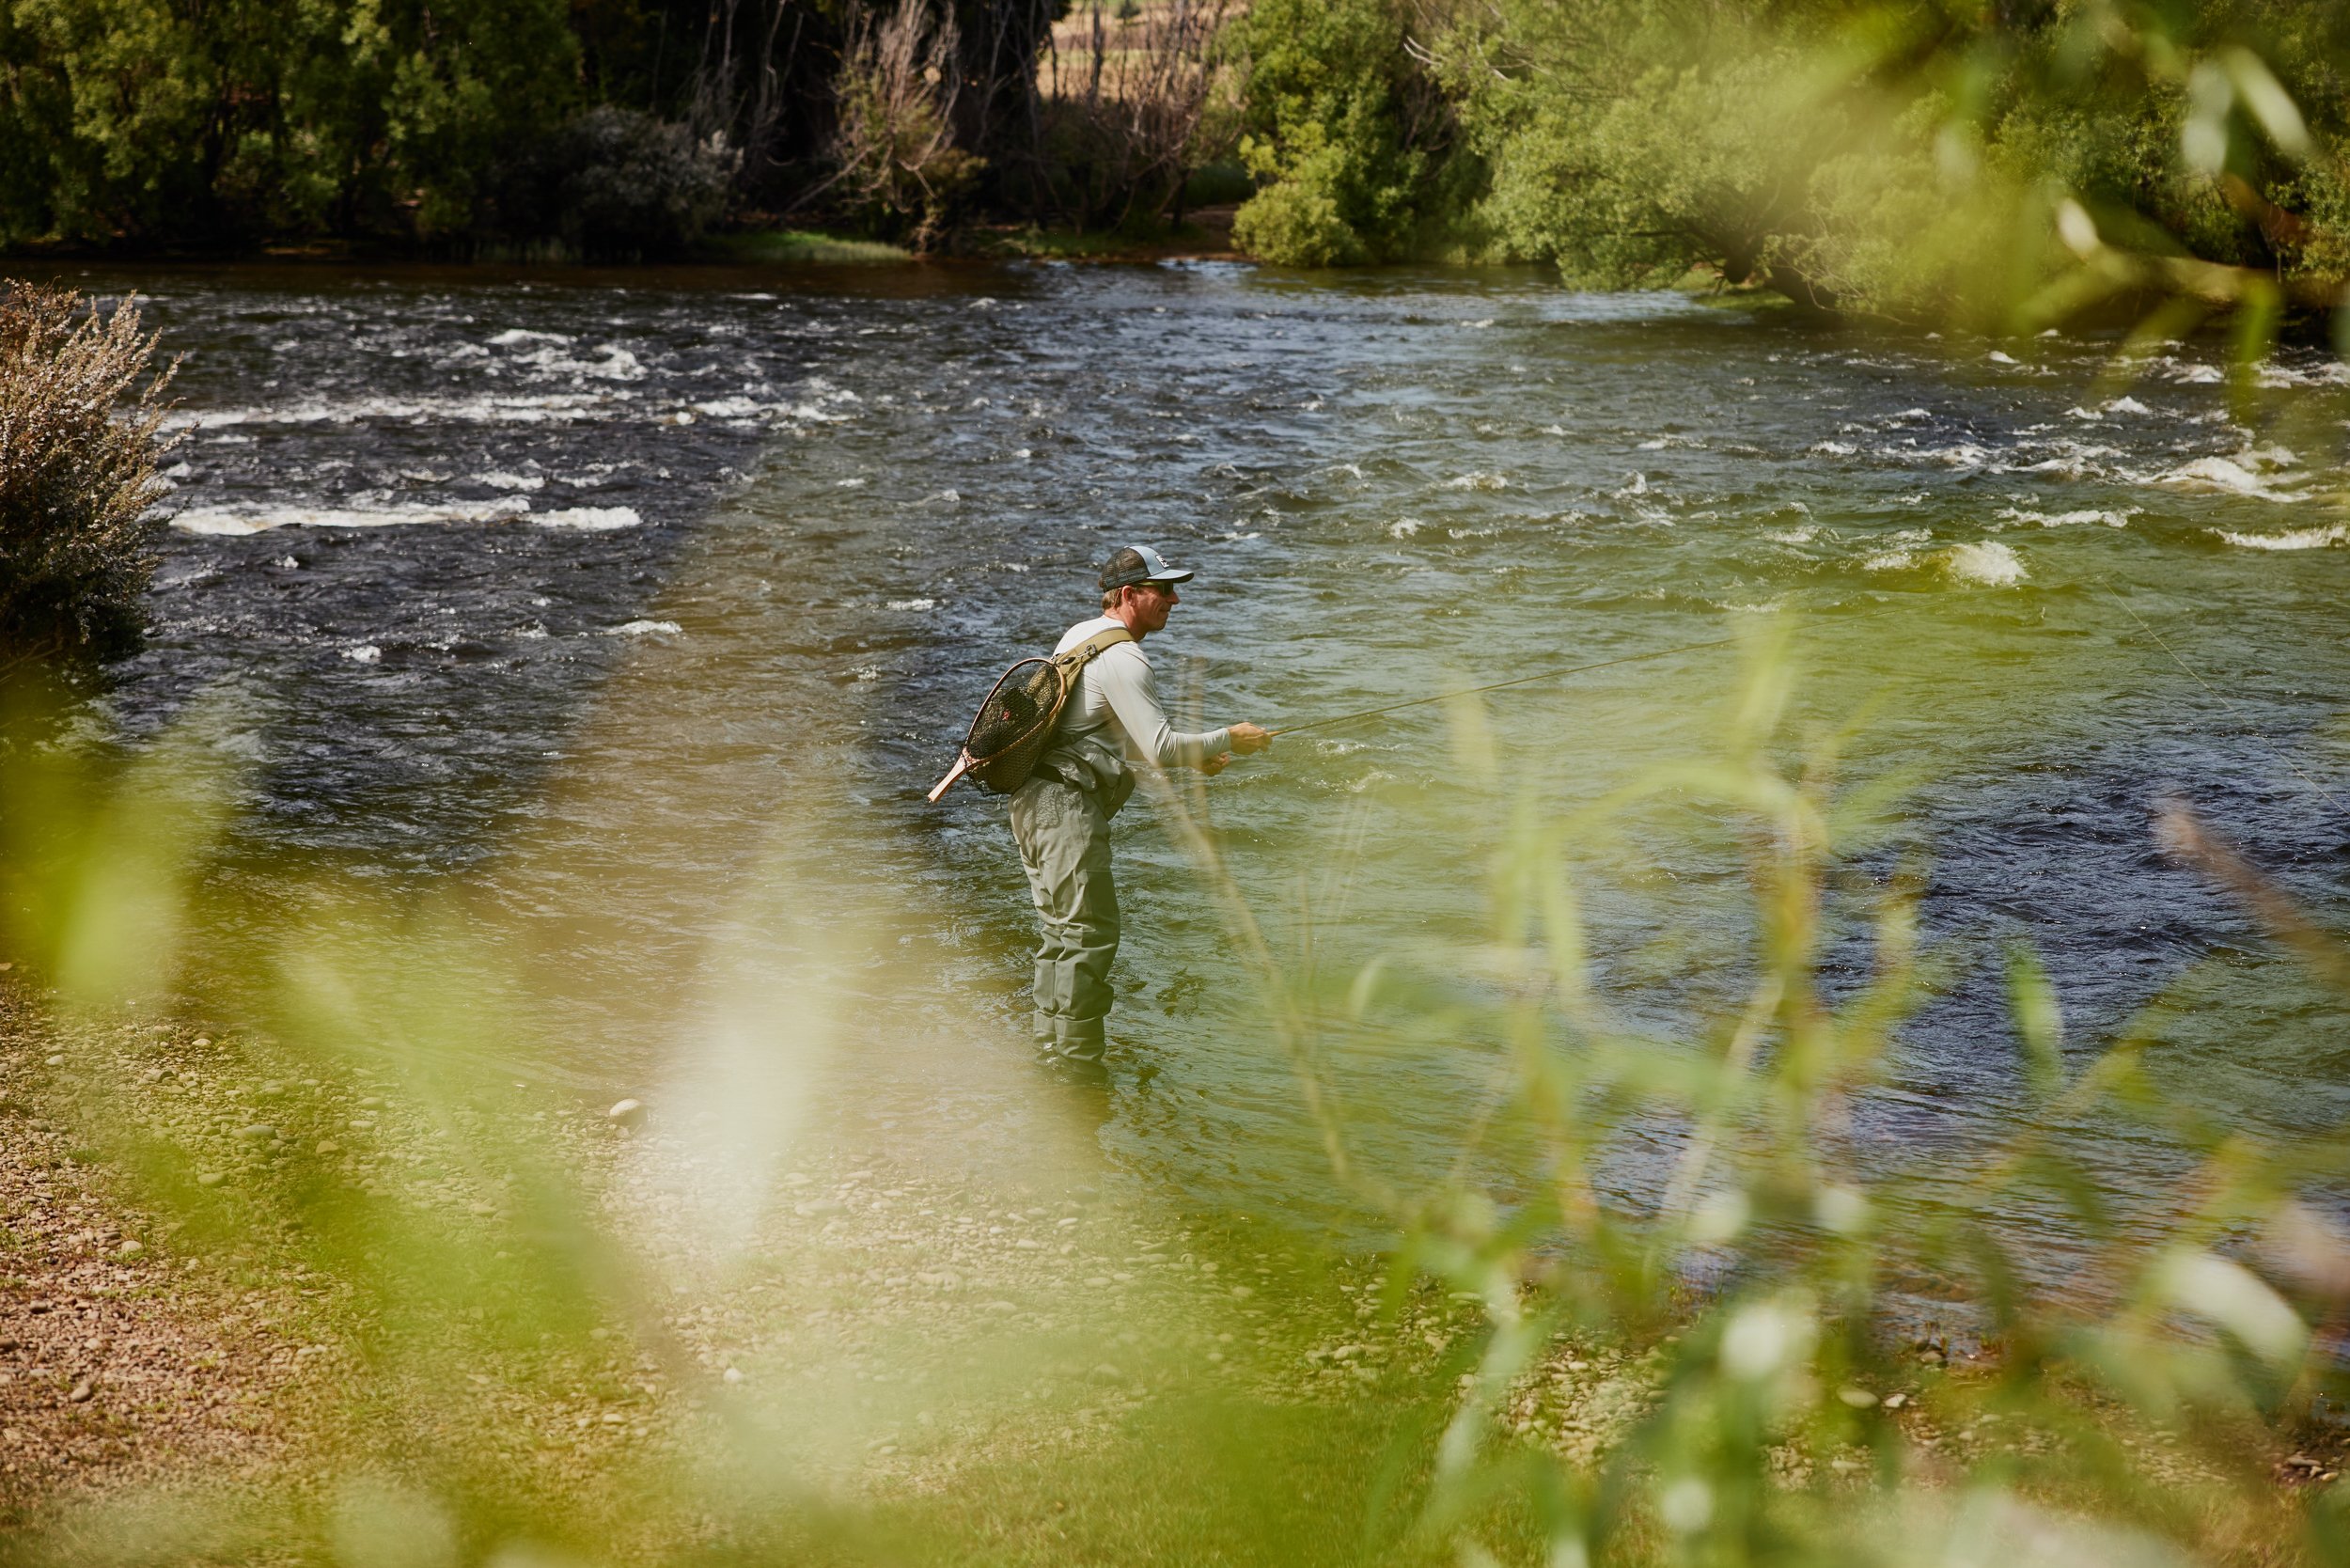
column 605, row 128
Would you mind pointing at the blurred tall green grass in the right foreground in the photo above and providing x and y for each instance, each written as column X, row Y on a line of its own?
column 1797, row 1348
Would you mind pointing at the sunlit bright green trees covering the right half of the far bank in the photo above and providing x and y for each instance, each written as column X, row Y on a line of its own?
column 2006, row 163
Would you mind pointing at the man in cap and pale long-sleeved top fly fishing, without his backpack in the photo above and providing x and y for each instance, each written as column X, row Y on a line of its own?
column 1061, row 817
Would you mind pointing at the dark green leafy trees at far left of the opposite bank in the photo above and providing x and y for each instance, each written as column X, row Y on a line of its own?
column 156, row 121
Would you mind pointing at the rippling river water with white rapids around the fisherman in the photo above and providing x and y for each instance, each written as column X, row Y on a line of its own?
column 633, row 615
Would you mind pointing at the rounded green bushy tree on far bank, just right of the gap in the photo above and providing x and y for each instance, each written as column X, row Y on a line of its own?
column 1350, row 138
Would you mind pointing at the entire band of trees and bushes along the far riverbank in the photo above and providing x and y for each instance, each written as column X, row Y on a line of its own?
column 2013, row 163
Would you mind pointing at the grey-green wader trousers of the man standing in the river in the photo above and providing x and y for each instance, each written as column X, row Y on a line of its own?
column 1066, row 850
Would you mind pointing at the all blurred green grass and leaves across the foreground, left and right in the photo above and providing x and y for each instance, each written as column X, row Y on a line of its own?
column 1728, row 1365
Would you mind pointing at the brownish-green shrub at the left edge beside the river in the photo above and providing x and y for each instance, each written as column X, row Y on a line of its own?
column 79, row 420
